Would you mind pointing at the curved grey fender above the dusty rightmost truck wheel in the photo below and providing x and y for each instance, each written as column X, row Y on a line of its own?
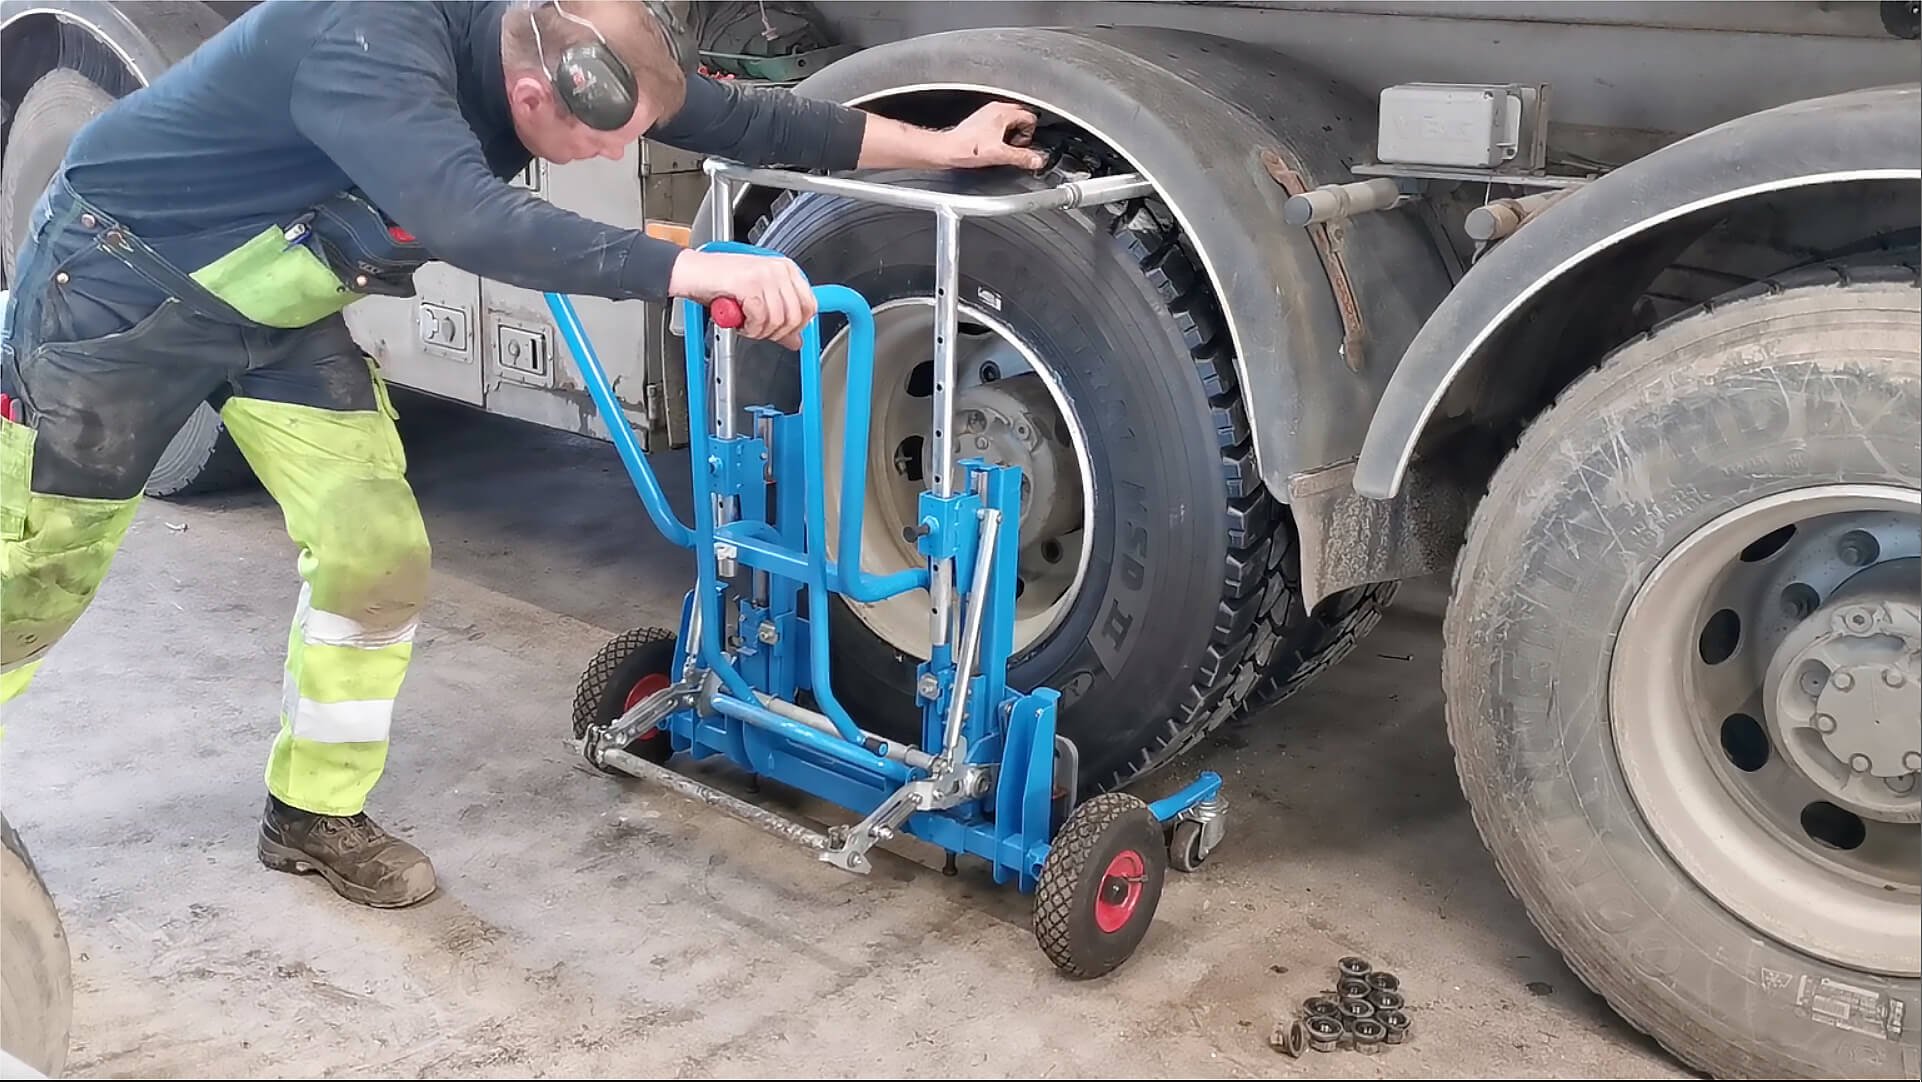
column 1863, row 135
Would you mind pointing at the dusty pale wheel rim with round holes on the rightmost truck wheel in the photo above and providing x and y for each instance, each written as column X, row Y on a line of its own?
column 1786, row 795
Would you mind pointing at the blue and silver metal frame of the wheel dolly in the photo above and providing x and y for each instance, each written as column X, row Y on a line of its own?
column 987, row 772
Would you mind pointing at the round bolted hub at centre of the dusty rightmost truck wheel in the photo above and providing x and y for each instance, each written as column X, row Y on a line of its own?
column 1844, row 695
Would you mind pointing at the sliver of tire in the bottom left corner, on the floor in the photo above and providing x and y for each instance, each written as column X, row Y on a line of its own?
column 36, row 964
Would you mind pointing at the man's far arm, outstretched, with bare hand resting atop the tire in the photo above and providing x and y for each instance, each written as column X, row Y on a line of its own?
column 777, row 128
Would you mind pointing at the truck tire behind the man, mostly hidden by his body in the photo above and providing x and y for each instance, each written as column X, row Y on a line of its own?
column 203, row 456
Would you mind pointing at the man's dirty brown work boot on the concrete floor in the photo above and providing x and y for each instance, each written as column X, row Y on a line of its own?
column 360, row 860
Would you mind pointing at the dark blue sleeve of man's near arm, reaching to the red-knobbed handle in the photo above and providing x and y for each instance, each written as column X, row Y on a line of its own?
column 376, row 95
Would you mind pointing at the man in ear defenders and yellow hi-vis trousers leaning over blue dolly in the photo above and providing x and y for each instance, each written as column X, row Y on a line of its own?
column 201, row 241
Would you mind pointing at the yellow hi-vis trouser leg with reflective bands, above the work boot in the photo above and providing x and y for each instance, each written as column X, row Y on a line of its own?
column 364, row 558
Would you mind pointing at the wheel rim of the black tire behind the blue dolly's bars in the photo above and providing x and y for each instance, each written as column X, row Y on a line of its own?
column 1008, row 410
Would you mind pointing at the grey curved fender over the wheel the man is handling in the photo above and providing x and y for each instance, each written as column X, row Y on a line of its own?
column 1196, row 116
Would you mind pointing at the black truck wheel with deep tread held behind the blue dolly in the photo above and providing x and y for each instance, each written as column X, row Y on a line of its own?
column 1108, row 349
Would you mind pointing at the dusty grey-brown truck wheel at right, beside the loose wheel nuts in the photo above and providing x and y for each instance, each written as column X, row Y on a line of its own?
column 1704, row 551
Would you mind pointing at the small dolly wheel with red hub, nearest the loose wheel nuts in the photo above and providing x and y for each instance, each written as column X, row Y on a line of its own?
column 1100, row 885
